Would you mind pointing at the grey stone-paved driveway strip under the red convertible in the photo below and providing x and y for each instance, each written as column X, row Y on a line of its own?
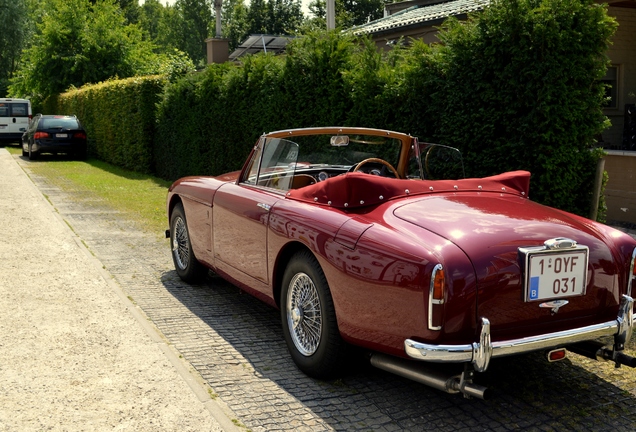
column 235, row 344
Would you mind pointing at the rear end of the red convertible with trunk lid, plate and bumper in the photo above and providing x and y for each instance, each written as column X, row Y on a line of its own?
column 545, row 280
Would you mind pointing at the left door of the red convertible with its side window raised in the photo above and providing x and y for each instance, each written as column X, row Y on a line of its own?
column 241, row 213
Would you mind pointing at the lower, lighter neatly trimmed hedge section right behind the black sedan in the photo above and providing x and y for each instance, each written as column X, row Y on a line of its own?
column 119, row 117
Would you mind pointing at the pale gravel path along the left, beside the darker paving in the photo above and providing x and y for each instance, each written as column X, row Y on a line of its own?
column 75, row 353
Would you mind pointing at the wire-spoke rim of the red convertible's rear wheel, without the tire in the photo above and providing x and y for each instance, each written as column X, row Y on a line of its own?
column 304, row 316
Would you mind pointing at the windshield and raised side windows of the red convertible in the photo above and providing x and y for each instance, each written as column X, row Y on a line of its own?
column 300, row 160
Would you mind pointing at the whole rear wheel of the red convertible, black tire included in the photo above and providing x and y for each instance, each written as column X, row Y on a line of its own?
column 309, row 319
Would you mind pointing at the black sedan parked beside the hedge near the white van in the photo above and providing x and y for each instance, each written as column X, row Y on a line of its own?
column 54, row 134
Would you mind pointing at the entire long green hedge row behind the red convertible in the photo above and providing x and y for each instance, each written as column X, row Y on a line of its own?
column 515, row 87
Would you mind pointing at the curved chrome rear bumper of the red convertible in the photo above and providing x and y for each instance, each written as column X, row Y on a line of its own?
column 480, row 353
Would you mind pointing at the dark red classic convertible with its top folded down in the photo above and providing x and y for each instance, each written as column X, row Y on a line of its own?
column 371, row 238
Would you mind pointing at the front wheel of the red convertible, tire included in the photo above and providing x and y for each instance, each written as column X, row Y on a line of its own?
column 186, row 264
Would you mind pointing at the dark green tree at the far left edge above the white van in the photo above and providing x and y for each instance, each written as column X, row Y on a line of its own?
column 13, row 16
